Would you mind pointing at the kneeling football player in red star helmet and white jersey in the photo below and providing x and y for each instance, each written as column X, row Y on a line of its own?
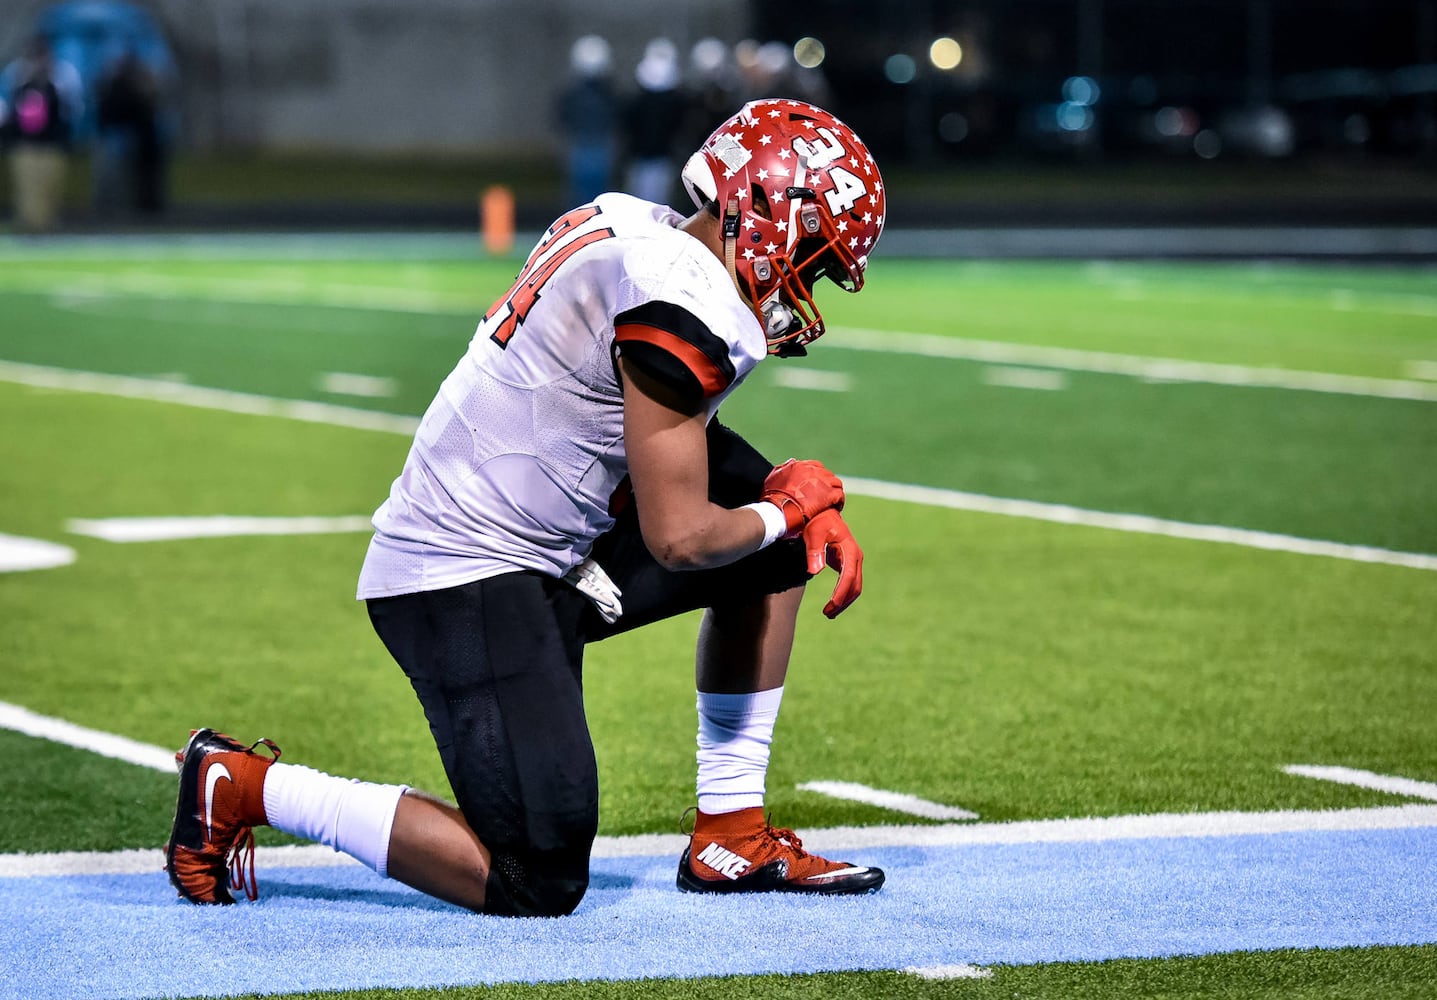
column 571, row 482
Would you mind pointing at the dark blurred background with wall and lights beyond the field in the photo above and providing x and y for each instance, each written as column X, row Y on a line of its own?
column 982, row 113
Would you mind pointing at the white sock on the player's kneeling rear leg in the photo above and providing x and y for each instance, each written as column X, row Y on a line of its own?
column 347, row 815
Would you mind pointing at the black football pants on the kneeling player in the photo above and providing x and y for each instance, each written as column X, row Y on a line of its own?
column 498, row 667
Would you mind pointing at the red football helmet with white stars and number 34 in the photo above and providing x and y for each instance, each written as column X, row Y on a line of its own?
column 801, row 199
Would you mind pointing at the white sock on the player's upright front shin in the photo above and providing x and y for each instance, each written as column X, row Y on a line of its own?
column 735, row 732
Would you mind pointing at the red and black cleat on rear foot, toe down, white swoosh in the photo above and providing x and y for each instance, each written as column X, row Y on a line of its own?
column 222, row 800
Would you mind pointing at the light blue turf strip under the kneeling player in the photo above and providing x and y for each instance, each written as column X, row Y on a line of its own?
column 325, row 929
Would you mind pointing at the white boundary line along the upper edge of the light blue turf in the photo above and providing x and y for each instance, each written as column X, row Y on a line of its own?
column 833, row 840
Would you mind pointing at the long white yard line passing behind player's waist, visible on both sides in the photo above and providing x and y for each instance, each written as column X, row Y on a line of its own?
column 323, row 413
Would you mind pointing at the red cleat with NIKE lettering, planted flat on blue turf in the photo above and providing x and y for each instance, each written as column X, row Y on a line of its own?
column 742, row 853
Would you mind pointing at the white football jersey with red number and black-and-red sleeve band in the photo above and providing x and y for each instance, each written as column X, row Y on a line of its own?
column 522, row 450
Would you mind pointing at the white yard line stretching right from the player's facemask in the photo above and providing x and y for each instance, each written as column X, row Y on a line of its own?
column 1159, row 370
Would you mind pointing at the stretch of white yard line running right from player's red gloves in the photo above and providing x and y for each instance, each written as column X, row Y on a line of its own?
column 1136, row 524
